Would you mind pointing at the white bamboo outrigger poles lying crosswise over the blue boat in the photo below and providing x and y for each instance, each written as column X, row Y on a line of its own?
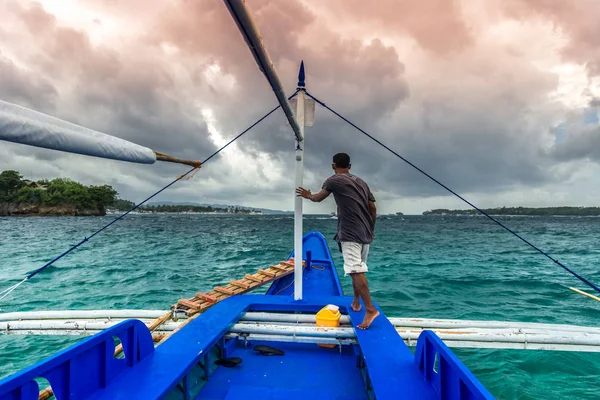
column 454, row 333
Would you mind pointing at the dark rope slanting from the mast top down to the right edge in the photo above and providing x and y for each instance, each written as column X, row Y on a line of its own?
column 569, row 270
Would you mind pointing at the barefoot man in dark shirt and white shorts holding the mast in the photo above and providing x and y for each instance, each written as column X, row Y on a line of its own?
column 356, row 224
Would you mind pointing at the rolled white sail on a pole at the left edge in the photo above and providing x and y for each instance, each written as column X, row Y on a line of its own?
column 22, row 125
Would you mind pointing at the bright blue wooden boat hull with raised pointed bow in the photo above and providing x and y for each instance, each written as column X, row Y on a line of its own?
column 377, row 366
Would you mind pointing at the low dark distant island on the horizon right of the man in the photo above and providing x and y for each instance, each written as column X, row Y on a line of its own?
column 543, row 211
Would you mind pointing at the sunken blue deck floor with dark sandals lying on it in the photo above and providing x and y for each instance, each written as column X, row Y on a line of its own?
column 306, row 371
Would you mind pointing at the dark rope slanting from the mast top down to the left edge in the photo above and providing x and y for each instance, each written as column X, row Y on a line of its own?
column 10, row 289
